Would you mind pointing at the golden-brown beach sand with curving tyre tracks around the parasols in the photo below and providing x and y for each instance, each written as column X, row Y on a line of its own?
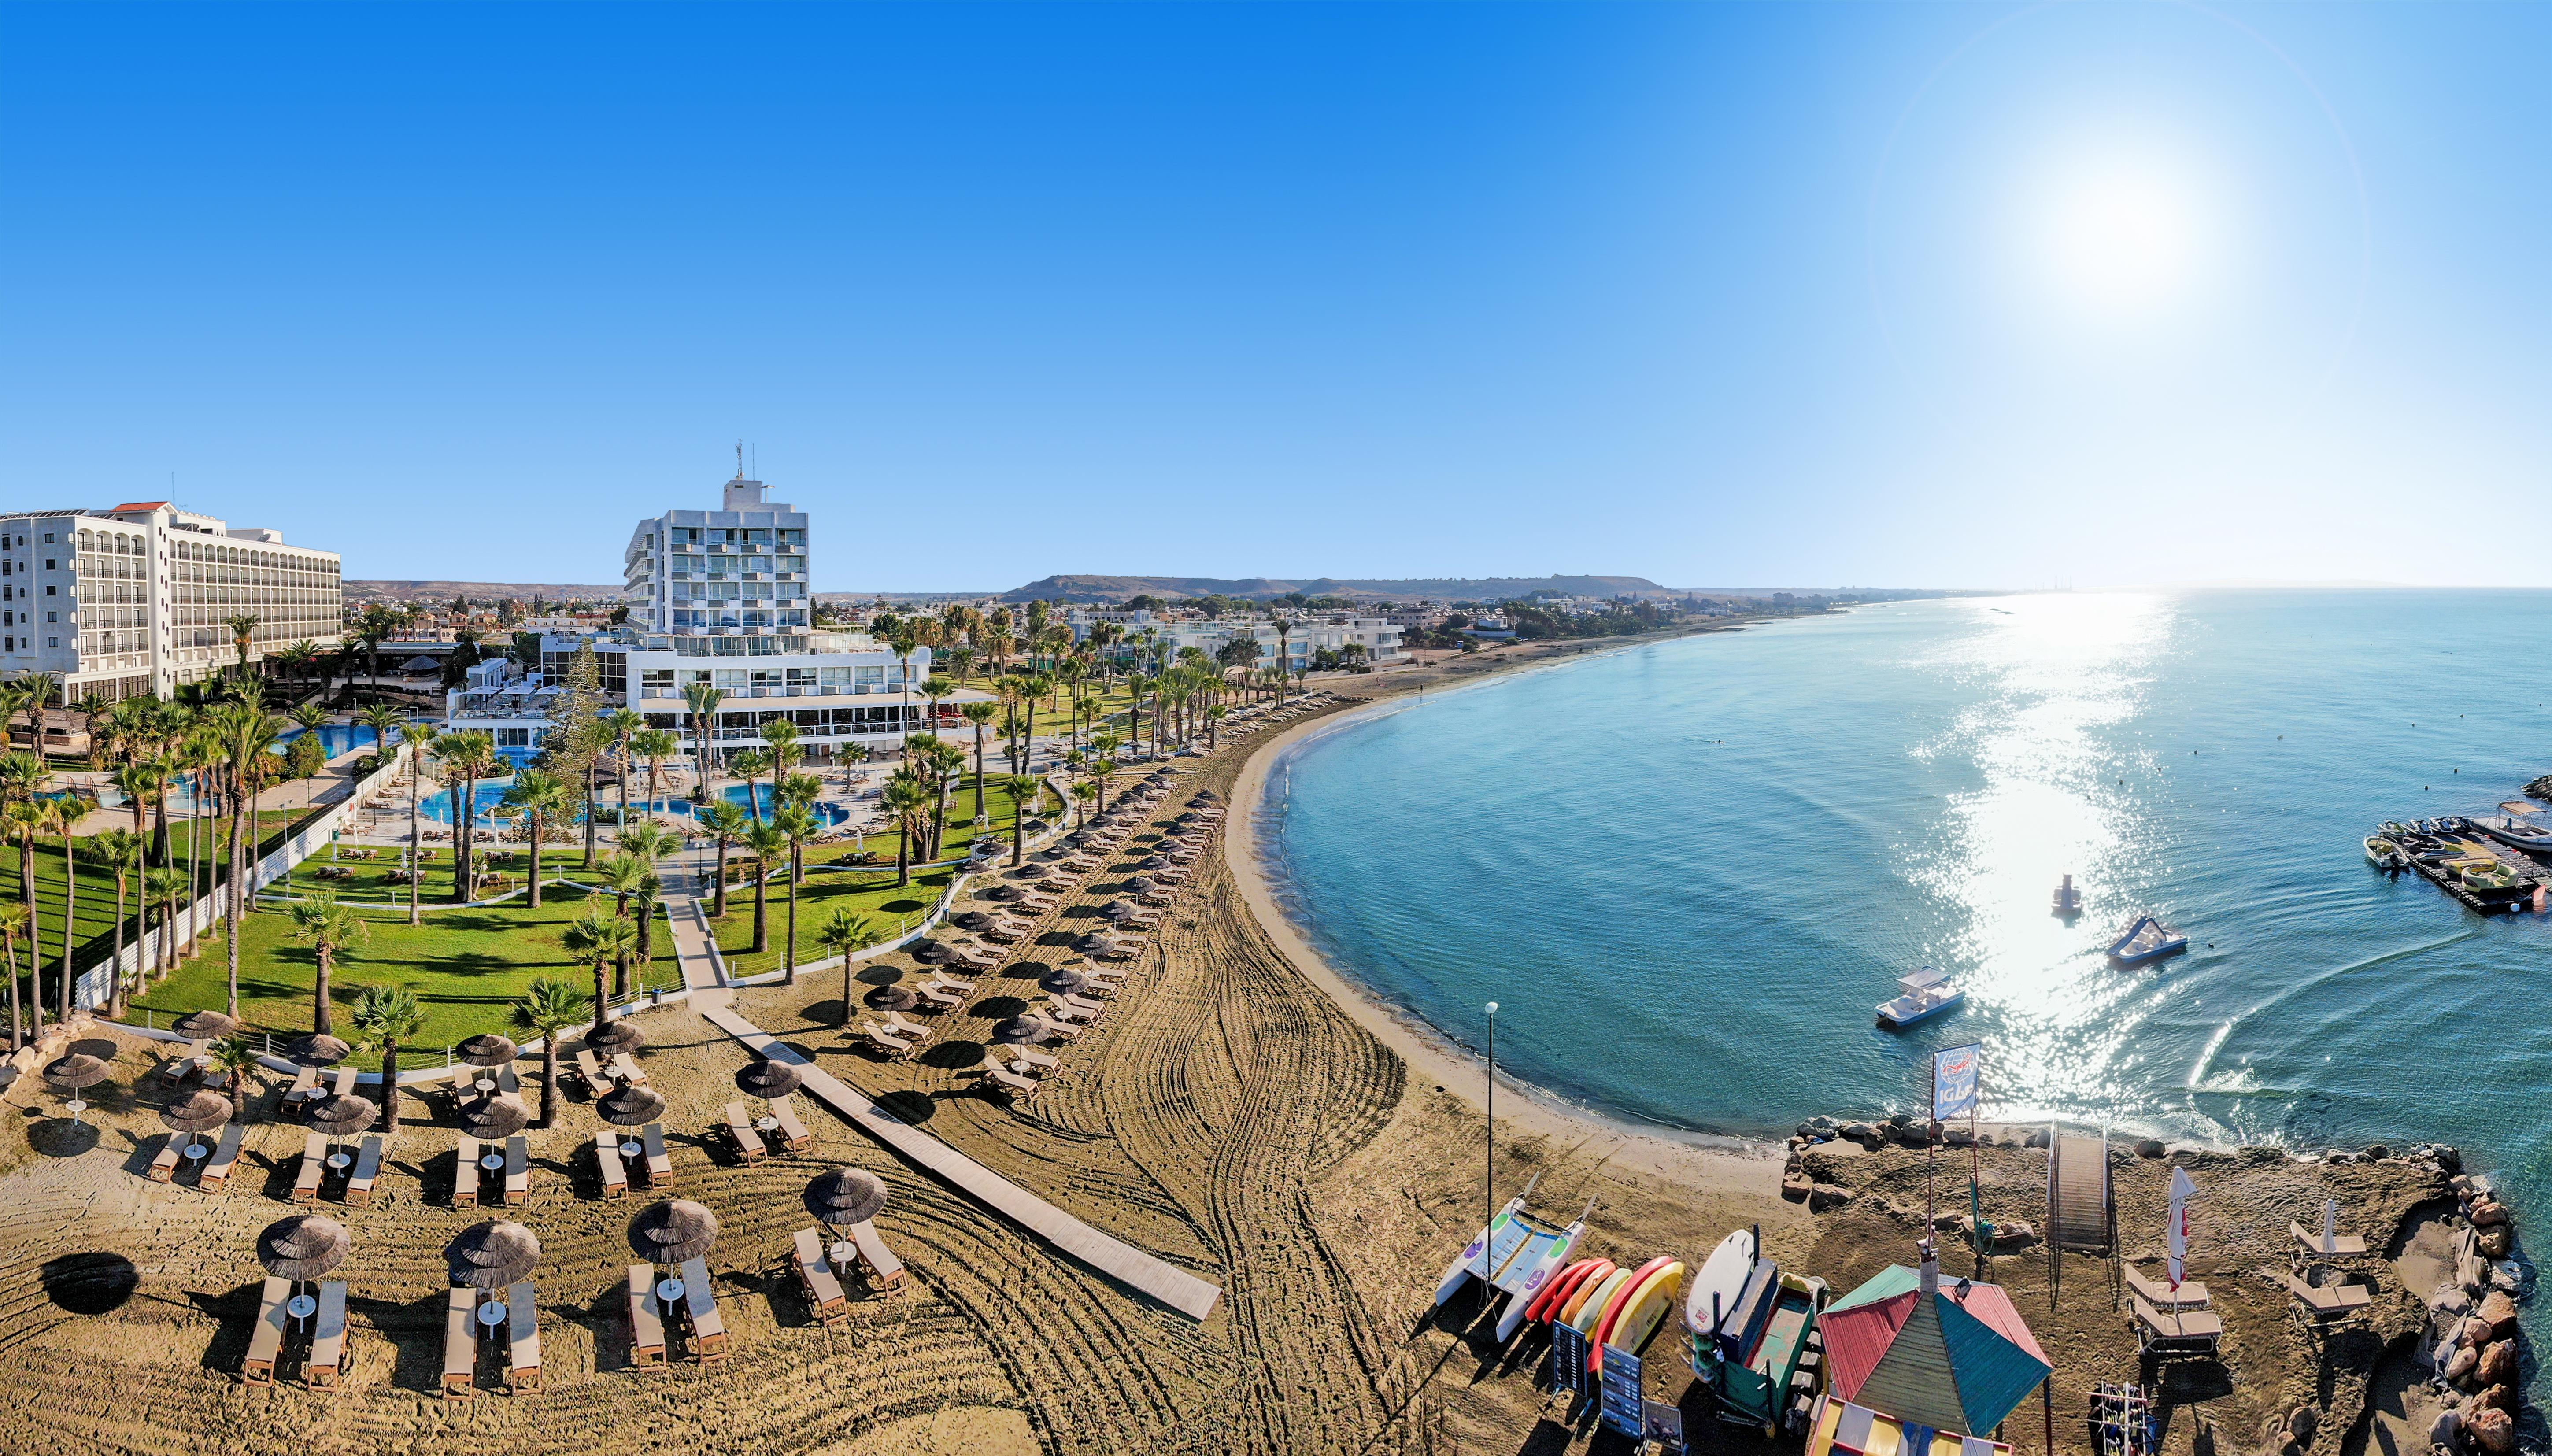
column 1239, row 1113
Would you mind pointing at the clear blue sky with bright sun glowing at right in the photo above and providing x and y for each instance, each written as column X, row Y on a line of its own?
column 1721, row 295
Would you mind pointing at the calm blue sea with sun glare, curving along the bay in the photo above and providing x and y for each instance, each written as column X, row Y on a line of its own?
column 1691, row 871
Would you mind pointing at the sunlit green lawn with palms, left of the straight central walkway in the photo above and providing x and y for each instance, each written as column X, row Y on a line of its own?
column 466, row 965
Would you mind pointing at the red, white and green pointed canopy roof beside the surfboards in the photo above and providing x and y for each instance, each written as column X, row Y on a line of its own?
column 1946, row 1355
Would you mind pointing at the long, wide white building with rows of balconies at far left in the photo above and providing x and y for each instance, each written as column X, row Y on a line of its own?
column 137, row 601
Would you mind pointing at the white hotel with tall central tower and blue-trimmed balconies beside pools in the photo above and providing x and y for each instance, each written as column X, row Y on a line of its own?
column 718, row 598
